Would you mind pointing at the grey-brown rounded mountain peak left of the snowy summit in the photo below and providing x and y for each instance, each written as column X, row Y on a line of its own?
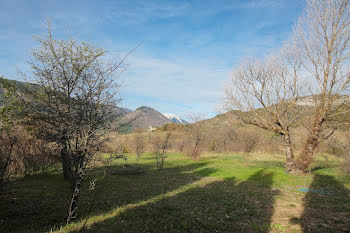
column 144, row 118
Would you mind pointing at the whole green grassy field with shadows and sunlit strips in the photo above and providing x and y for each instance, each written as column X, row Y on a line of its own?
column 220, row 193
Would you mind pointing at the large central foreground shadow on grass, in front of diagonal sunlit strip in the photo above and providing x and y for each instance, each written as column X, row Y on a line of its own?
column 206, row 205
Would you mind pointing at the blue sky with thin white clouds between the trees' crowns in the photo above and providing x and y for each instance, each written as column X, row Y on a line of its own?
column 189, row 47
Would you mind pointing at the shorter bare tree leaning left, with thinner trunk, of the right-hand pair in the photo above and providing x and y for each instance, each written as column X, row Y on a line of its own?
column 264, row 93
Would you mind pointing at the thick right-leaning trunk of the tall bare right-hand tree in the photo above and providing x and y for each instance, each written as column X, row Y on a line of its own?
column 306, row 157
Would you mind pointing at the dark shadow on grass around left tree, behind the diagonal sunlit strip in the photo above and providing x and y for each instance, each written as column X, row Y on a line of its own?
column 39, row 203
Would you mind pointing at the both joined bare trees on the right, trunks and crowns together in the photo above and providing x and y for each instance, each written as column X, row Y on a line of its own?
column 318, row 56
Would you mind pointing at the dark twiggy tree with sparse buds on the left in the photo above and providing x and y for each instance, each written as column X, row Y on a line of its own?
column 74, row 102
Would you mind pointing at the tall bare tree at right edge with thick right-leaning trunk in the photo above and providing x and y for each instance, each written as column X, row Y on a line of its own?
column 322, row 36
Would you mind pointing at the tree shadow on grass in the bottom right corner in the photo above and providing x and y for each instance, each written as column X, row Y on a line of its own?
column 326, row 206
